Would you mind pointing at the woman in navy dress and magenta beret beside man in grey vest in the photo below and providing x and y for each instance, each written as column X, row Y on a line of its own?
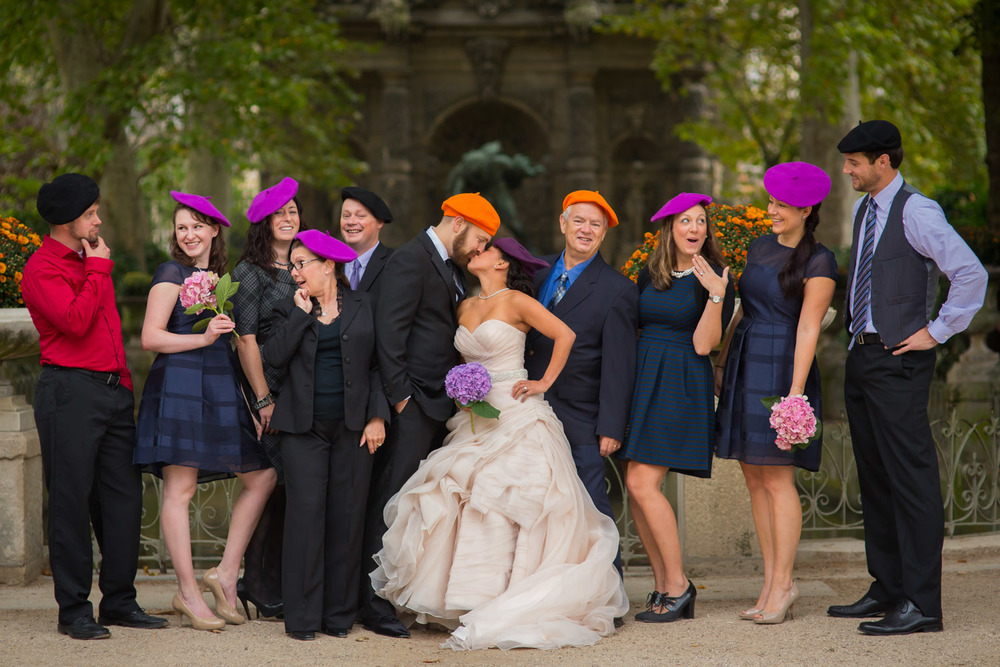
column 785, row 291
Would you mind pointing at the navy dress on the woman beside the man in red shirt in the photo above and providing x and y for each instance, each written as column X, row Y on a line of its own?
column 193, row 412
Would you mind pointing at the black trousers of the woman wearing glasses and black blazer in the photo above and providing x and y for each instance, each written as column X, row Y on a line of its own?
column 326, row 485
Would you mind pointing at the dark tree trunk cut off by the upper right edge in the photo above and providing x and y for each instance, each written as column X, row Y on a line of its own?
column 989, row 11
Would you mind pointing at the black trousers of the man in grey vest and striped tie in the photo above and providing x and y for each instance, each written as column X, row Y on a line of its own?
column 897, row 463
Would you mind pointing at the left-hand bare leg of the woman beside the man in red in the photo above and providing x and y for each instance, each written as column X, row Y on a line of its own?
column 179, row 483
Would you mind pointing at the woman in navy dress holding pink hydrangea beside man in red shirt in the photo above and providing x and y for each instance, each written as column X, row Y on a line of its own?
column 193, row 417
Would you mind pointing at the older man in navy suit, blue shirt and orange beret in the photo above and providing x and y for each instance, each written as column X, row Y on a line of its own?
column 593, row 393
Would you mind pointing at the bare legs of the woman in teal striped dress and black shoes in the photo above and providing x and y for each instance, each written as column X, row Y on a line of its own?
column 643, row 481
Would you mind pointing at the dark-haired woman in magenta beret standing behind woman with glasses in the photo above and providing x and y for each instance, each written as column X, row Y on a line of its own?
column 265, row 279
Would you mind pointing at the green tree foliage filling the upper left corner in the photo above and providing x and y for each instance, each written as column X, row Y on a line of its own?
column 128, row 90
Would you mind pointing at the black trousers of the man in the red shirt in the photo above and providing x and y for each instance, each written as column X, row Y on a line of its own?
column 86, row 430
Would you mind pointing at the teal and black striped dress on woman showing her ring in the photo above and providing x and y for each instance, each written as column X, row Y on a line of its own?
column 672, row 420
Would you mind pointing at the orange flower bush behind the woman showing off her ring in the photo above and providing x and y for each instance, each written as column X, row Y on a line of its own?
column 735, row 228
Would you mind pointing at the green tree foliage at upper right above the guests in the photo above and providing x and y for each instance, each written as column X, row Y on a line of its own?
column 917, row 65
